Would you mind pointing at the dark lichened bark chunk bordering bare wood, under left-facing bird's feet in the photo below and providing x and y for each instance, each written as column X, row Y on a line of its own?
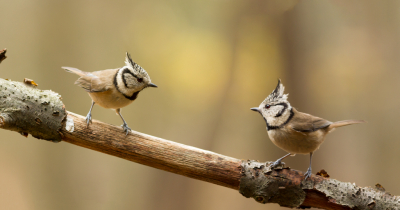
column 258, row 184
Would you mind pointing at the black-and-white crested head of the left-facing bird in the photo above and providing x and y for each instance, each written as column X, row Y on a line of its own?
column 275, row 109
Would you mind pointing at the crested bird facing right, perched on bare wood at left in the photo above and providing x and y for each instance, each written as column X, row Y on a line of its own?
column 113, row 88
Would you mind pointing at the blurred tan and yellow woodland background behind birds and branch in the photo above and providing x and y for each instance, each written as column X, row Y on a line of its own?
column 213, row 61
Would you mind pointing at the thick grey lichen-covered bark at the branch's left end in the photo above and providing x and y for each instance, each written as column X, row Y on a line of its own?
column 28, row 110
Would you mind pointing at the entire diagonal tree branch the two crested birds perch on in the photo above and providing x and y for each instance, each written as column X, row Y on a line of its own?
column 26, row 109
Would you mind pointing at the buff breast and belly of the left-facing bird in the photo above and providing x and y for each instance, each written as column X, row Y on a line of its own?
column 296, row 142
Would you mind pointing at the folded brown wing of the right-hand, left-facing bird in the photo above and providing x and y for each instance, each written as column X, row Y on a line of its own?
column 303, row 122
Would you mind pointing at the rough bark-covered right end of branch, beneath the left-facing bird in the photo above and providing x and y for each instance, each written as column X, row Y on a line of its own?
column 288, row 188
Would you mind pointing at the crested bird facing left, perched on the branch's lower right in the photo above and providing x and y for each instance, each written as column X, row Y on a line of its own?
column 293, row 131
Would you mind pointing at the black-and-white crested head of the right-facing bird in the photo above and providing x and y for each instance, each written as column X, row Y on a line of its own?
column 131, row 78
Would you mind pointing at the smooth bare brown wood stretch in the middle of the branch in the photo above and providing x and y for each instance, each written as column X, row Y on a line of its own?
column 152, row 151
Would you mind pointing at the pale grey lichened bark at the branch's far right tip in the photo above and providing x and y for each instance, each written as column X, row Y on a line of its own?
column 355, row 197
